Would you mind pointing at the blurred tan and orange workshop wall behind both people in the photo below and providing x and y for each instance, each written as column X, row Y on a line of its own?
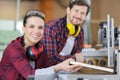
column 99, row 10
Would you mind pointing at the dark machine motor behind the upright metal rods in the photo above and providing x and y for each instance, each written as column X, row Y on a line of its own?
column 102, row 35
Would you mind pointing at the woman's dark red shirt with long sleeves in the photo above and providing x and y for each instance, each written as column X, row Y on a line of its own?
column 15, row 65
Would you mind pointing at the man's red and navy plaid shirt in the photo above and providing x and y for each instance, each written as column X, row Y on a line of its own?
column 55, row 37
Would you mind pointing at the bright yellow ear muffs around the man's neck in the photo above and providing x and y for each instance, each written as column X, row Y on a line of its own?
column 73, row 30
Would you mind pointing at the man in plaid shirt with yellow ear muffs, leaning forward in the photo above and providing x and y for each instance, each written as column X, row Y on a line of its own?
column 63, row 37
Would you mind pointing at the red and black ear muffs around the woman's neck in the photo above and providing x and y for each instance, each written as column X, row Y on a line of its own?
column 33, row 52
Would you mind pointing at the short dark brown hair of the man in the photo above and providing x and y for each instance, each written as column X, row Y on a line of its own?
column 79, row 3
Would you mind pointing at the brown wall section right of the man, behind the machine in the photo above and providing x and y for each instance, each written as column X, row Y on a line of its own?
column 100, row 9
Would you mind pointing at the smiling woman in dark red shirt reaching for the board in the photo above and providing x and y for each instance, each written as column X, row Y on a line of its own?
column 25, row 55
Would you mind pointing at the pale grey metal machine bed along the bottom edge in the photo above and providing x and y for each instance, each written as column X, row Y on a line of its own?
column 88, row 77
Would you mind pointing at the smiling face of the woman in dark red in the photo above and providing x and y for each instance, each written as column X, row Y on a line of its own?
column 33, row 30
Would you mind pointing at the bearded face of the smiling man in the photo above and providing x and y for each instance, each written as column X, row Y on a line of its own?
column 76, row 15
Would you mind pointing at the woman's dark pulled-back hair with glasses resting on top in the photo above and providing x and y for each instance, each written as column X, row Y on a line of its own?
column 31, row 13
